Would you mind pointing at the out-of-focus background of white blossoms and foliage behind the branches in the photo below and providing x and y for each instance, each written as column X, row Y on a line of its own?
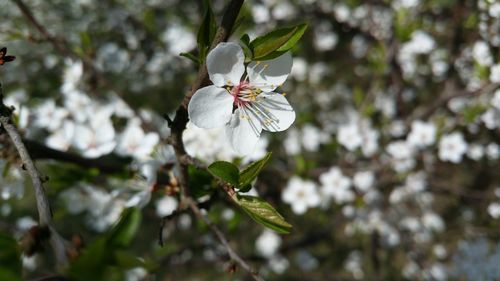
column 397, row 202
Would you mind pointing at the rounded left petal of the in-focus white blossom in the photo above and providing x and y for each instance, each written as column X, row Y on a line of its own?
column 210, row 107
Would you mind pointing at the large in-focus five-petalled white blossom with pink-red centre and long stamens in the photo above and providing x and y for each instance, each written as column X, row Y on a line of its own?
column 257, row 106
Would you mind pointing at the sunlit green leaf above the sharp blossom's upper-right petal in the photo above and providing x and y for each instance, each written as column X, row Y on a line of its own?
column 276, row 42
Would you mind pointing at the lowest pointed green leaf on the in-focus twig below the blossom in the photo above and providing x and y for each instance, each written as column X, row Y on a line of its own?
column 263, row 213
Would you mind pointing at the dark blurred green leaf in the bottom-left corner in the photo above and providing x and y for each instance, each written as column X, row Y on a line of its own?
column 10, row 258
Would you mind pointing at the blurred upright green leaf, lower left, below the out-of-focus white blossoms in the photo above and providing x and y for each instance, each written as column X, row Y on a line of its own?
column 124, row 231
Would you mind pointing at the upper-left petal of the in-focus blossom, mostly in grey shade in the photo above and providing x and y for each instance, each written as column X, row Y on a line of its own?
column 225, row 63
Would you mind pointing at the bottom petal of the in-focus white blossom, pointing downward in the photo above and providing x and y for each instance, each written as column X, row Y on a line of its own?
column 243, row 131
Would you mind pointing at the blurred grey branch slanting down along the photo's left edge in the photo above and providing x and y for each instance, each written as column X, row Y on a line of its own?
column 44, row 212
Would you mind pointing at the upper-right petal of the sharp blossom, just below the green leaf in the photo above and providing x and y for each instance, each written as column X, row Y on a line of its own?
column 268, row 75
